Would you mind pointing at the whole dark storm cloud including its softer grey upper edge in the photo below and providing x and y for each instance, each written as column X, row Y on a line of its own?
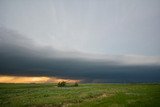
column 22, row 56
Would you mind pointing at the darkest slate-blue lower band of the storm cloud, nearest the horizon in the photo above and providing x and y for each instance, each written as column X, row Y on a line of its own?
column 73, row 69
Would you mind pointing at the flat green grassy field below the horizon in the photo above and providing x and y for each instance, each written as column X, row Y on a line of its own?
column 85, row 95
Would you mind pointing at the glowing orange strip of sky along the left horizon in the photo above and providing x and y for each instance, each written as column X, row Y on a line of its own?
column 33, row 79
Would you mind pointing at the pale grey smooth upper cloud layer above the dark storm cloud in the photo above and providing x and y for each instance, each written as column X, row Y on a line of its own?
column 106, row 26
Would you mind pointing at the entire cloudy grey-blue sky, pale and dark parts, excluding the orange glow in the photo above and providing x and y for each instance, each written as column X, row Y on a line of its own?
column 86, row 40
